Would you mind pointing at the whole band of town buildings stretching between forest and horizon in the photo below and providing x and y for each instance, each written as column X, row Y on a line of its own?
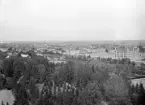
column 58, row 52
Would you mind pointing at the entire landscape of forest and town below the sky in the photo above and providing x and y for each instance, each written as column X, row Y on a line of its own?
column 106, row 73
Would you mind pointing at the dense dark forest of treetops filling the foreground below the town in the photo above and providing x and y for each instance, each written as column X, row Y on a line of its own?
column 36, row 81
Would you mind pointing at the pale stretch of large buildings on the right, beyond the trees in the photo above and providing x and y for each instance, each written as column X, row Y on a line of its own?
column 119, row 52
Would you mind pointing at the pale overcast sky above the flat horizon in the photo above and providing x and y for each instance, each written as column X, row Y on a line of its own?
column 26, row 20
